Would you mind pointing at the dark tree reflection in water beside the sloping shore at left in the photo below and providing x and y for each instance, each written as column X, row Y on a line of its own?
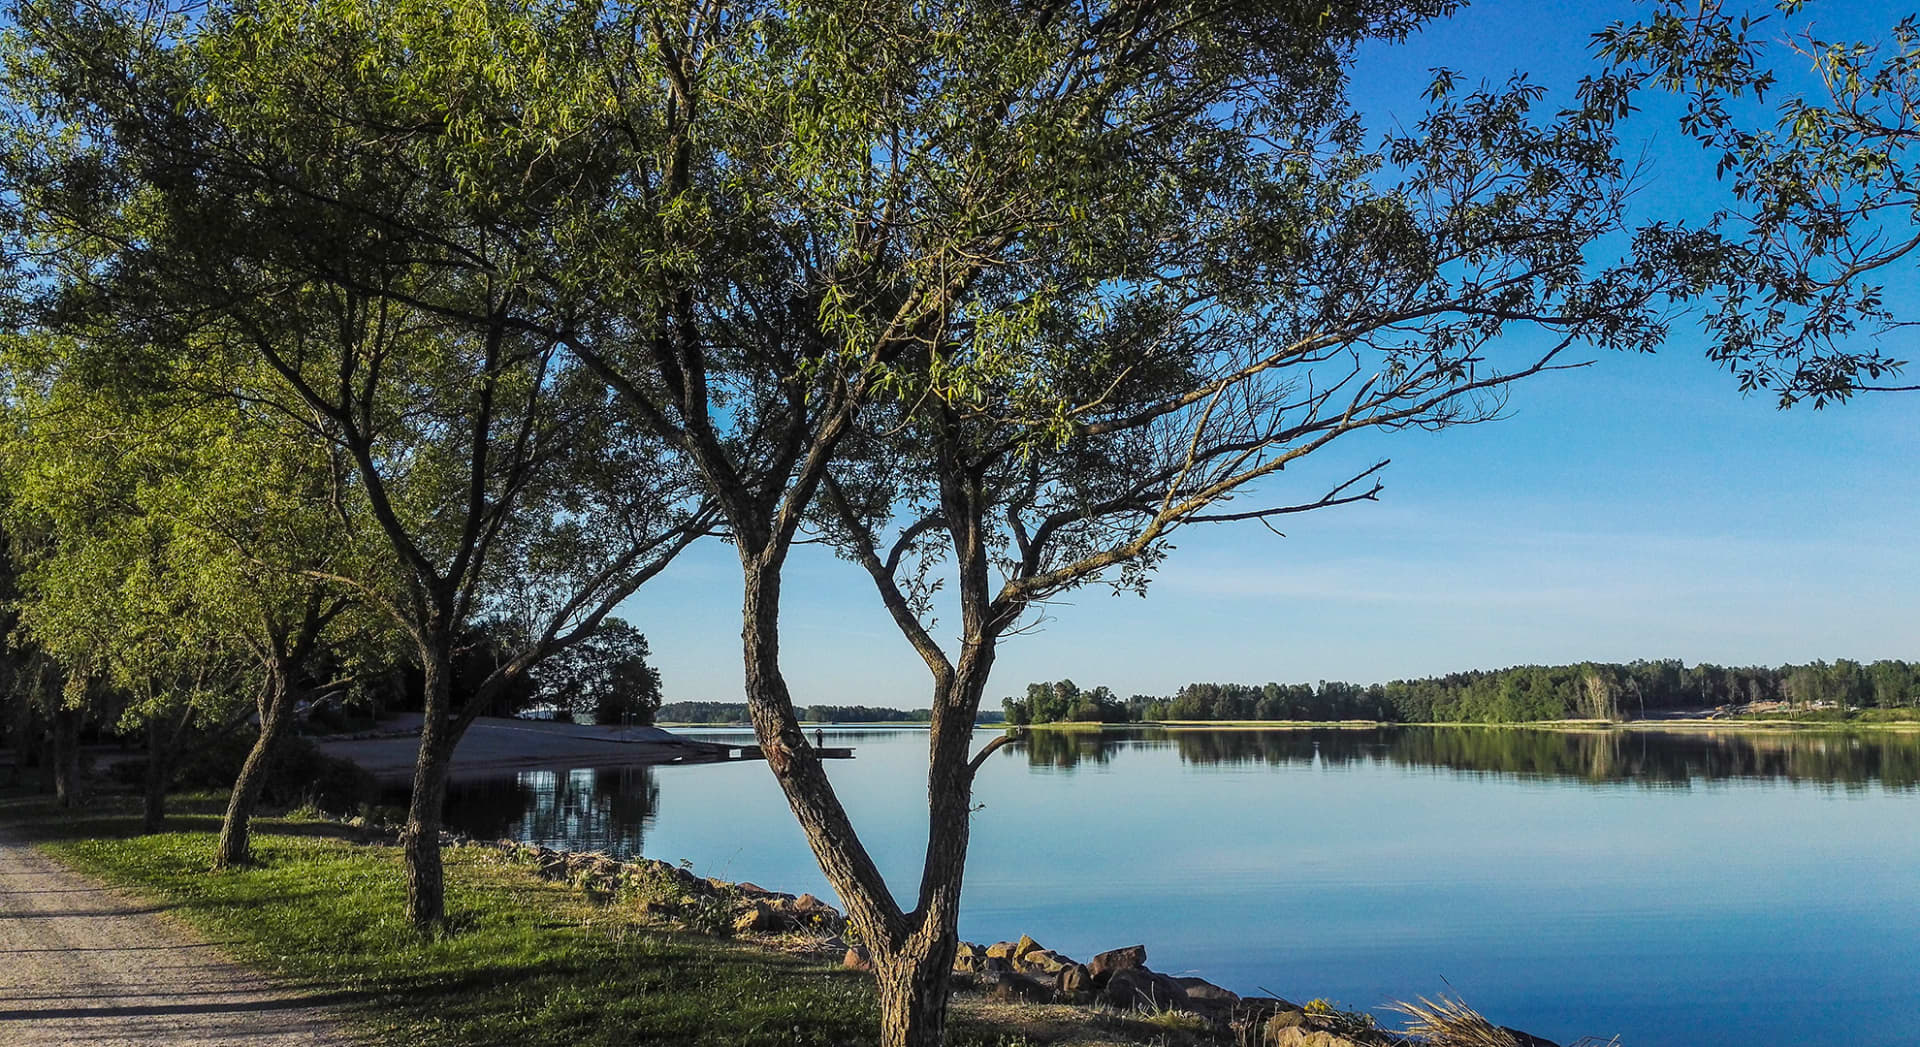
column 587, row 810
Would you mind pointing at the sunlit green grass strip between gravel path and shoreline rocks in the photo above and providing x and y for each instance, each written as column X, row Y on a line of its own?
column 525, row 962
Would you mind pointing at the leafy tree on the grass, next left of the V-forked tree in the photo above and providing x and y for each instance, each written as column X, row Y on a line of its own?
column 241, row 180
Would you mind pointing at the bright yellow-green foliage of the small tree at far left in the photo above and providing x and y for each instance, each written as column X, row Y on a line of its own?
column 168, row 543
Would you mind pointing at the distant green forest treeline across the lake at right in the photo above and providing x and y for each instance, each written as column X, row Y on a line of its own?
column 1527, row 693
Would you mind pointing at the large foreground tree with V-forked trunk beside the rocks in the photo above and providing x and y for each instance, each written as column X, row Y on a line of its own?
column 1005, row 299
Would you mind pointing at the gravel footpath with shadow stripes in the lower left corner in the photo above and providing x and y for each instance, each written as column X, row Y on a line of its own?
column 82, row 963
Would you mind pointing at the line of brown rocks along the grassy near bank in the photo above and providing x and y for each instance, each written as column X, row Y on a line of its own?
column 1019, row 971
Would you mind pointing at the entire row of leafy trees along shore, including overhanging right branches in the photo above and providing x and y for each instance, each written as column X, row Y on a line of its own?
column 341, row 333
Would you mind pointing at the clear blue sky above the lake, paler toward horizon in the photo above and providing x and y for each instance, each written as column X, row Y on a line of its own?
column 1637, row 508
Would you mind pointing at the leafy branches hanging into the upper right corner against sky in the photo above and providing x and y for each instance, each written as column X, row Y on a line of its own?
column 1813, row 137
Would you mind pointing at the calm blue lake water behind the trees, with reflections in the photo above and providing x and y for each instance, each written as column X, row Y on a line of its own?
column 1677, row 890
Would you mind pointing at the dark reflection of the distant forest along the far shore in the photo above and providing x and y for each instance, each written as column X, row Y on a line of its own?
column 1602, row 756
